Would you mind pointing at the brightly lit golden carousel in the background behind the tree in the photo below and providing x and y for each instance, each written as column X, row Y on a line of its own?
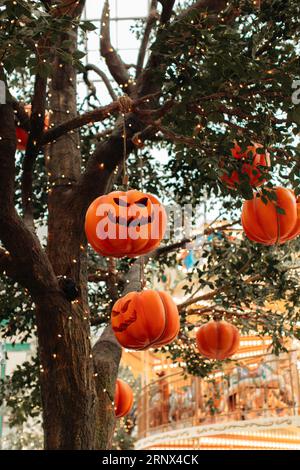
column 251, row 404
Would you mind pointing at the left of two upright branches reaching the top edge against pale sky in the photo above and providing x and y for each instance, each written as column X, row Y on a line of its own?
column 114, row 62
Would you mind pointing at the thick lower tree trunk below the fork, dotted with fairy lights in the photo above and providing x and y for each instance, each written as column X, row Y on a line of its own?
column 69, row 397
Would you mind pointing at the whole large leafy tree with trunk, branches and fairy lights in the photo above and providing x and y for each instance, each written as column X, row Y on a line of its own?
column 217, row 73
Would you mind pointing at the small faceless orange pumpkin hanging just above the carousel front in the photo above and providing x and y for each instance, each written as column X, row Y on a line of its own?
column 217, row 340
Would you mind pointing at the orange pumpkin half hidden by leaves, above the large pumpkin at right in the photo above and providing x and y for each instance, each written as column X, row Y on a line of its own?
column 250, row 163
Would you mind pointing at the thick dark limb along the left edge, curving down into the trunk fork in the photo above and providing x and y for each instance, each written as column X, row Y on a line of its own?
column 34, row 271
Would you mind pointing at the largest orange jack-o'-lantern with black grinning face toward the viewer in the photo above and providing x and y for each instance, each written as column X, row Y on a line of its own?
column 128, row 223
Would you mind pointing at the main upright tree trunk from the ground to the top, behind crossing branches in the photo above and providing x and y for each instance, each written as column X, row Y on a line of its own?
column 69, row 398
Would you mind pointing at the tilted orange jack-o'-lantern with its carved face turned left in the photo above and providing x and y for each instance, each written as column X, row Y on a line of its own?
column 143, row 320
